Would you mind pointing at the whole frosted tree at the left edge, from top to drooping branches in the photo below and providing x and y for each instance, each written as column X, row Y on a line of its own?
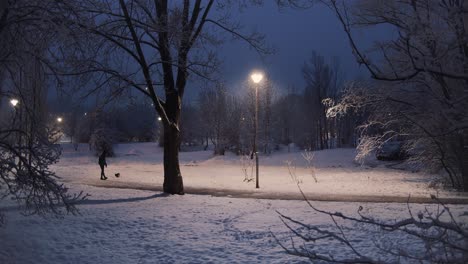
column 26, row 30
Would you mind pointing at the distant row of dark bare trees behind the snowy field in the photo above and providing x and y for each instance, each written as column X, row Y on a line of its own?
column 221, row 120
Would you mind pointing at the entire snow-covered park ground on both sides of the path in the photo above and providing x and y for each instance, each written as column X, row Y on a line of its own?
column 138, row 226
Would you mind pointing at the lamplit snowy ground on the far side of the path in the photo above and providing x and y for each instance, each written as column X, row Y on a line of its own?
column 337, row 174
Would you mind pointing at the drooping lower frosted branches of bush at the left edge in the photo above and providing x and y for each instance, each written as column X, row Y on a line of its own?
column 25, row 176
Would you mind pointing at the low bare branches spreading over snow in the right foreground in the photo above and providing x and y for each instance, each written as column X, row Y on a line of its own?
column 430, row 235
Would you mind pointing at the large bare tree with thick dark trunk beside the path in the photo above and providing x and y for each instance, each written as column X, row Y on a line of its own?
column 158, row 45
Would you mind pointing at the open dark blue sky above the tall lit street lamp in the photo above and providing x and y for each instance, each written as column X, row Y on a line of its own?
column 294, row 34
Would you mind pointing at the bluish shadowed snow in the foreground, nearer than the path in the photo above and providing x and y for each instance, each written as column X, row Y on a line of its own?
column 130, row 226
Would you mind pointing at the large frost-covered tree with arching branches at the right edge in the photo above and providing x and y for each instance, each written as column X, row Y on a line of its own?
column 420, row 93
